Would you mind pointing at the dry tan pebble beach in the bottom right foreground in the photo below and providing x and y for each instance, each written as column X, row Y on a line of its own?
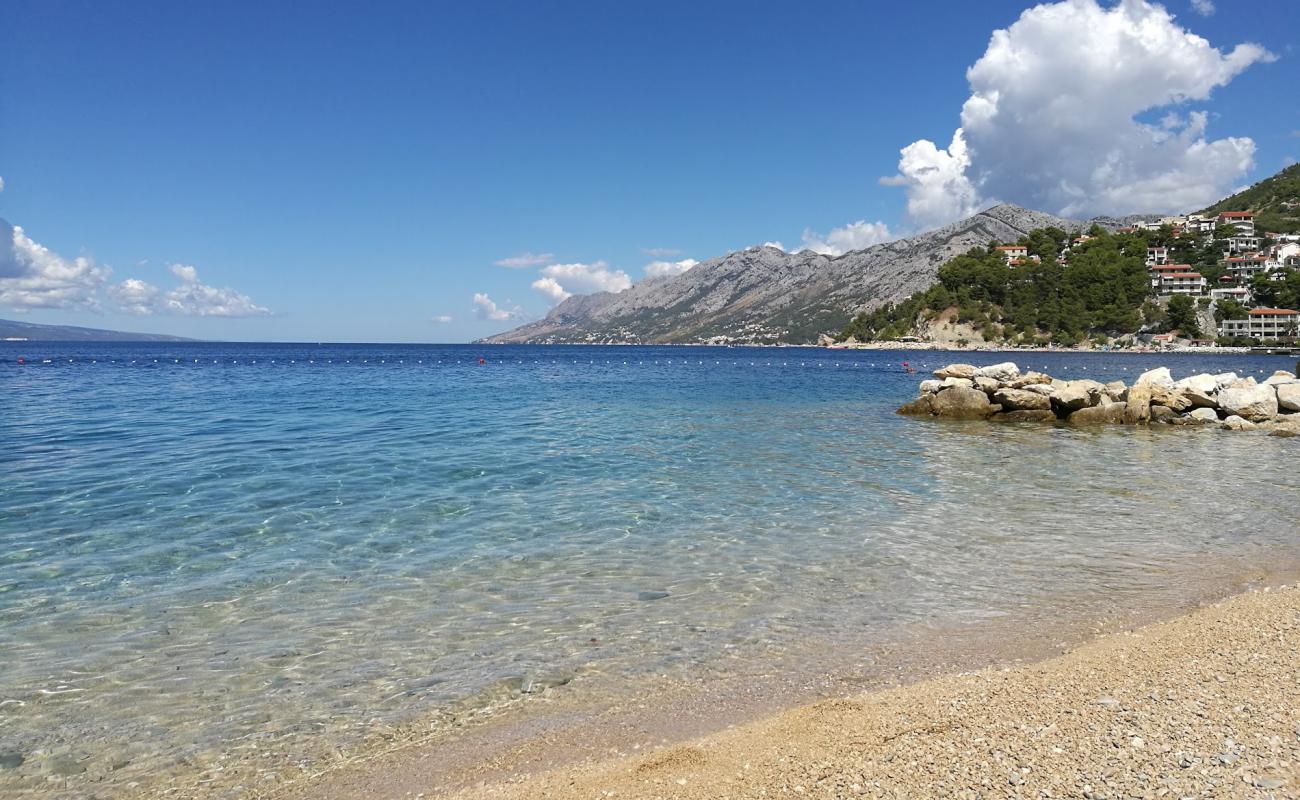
column 1203, row 706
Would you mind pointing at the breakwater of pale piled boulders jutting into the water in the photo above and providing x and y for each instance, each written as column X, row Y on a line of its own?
column 1002, row 392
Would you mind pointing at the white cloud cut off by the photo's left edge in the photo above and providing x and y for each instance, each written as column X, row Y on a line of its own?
column 33, row 276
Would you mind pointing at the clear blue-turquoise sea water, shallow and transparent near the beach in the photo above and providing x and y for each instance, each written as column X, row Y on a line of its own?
column 210, row 551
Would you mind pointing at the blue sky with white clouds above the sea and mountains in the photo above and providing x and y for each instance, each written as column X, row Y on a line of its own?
column 435, row 172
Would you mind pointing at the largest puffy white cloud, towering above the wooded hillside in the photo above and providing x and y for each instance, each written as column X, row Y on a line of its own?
column 1052, row 122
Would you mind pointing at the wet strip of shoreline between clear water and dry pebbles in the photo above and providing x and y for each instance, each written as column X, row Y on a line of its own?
column 539, row 753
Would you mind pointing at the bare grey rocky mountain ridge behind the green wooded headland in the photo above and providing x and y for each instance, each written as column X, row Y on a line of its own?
column 765, row 296
